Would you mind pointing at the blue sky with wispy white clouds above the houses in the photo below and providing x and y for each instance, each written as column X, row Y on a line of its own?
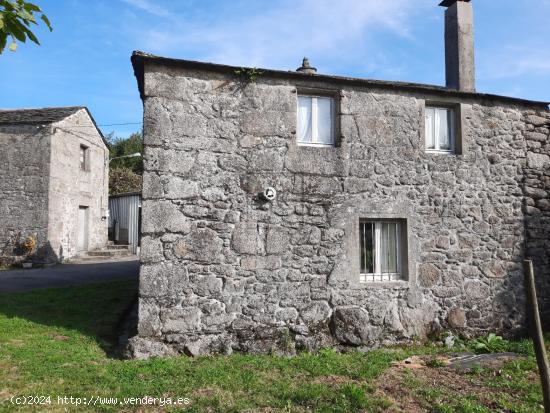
column 86, row 60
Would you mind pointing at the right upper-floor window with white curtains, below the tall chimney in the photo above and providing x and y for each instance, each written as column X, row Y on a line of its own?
column 440, row 129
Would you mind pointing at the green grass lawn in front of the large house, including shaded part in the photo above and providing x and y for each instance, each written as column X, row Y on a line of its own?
column 57, row 343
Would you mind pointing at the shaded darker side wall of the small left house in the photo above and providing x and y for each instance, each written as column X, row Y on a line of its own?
column 24, row 169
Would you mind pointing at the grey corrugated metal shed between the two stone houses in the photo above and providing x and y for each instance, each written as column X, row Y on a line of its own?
column 125, row 219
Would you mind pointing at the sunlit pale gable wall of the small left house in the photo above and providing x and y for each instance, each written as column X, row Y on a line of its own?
column 70, row 187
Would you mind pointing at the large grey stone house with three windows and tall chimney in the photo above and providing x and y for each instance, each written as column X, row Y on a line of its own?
column 287, row 210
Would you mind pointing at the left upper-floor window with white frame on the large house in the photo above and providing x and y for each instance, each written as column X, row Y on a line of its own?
column 316, row 120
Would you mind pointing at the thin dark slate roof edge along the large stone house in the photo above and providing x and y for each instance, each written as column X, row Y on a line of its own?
column 140, row 58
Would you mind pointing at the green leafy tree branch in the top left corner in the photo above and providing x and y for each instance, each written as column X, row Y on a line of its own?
column 16, row 18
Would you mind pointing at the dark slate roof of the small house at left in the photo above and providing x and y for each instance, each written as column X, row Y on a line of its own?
column 42, row 116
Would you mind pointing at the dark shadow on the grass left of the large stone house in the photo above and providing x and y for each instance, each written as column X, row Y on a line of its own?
column 95, row 310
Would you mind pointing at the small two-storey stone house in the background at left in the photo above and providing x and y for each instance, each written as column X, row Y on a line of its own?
column 53, row 181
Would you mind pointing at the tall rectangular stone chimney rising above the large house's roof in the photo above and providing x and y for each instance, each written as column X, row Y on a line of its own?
column 459, row 45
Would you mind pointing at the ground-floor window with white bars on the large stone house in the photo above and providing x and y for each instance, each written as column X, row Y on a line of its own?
column 380, row 243
